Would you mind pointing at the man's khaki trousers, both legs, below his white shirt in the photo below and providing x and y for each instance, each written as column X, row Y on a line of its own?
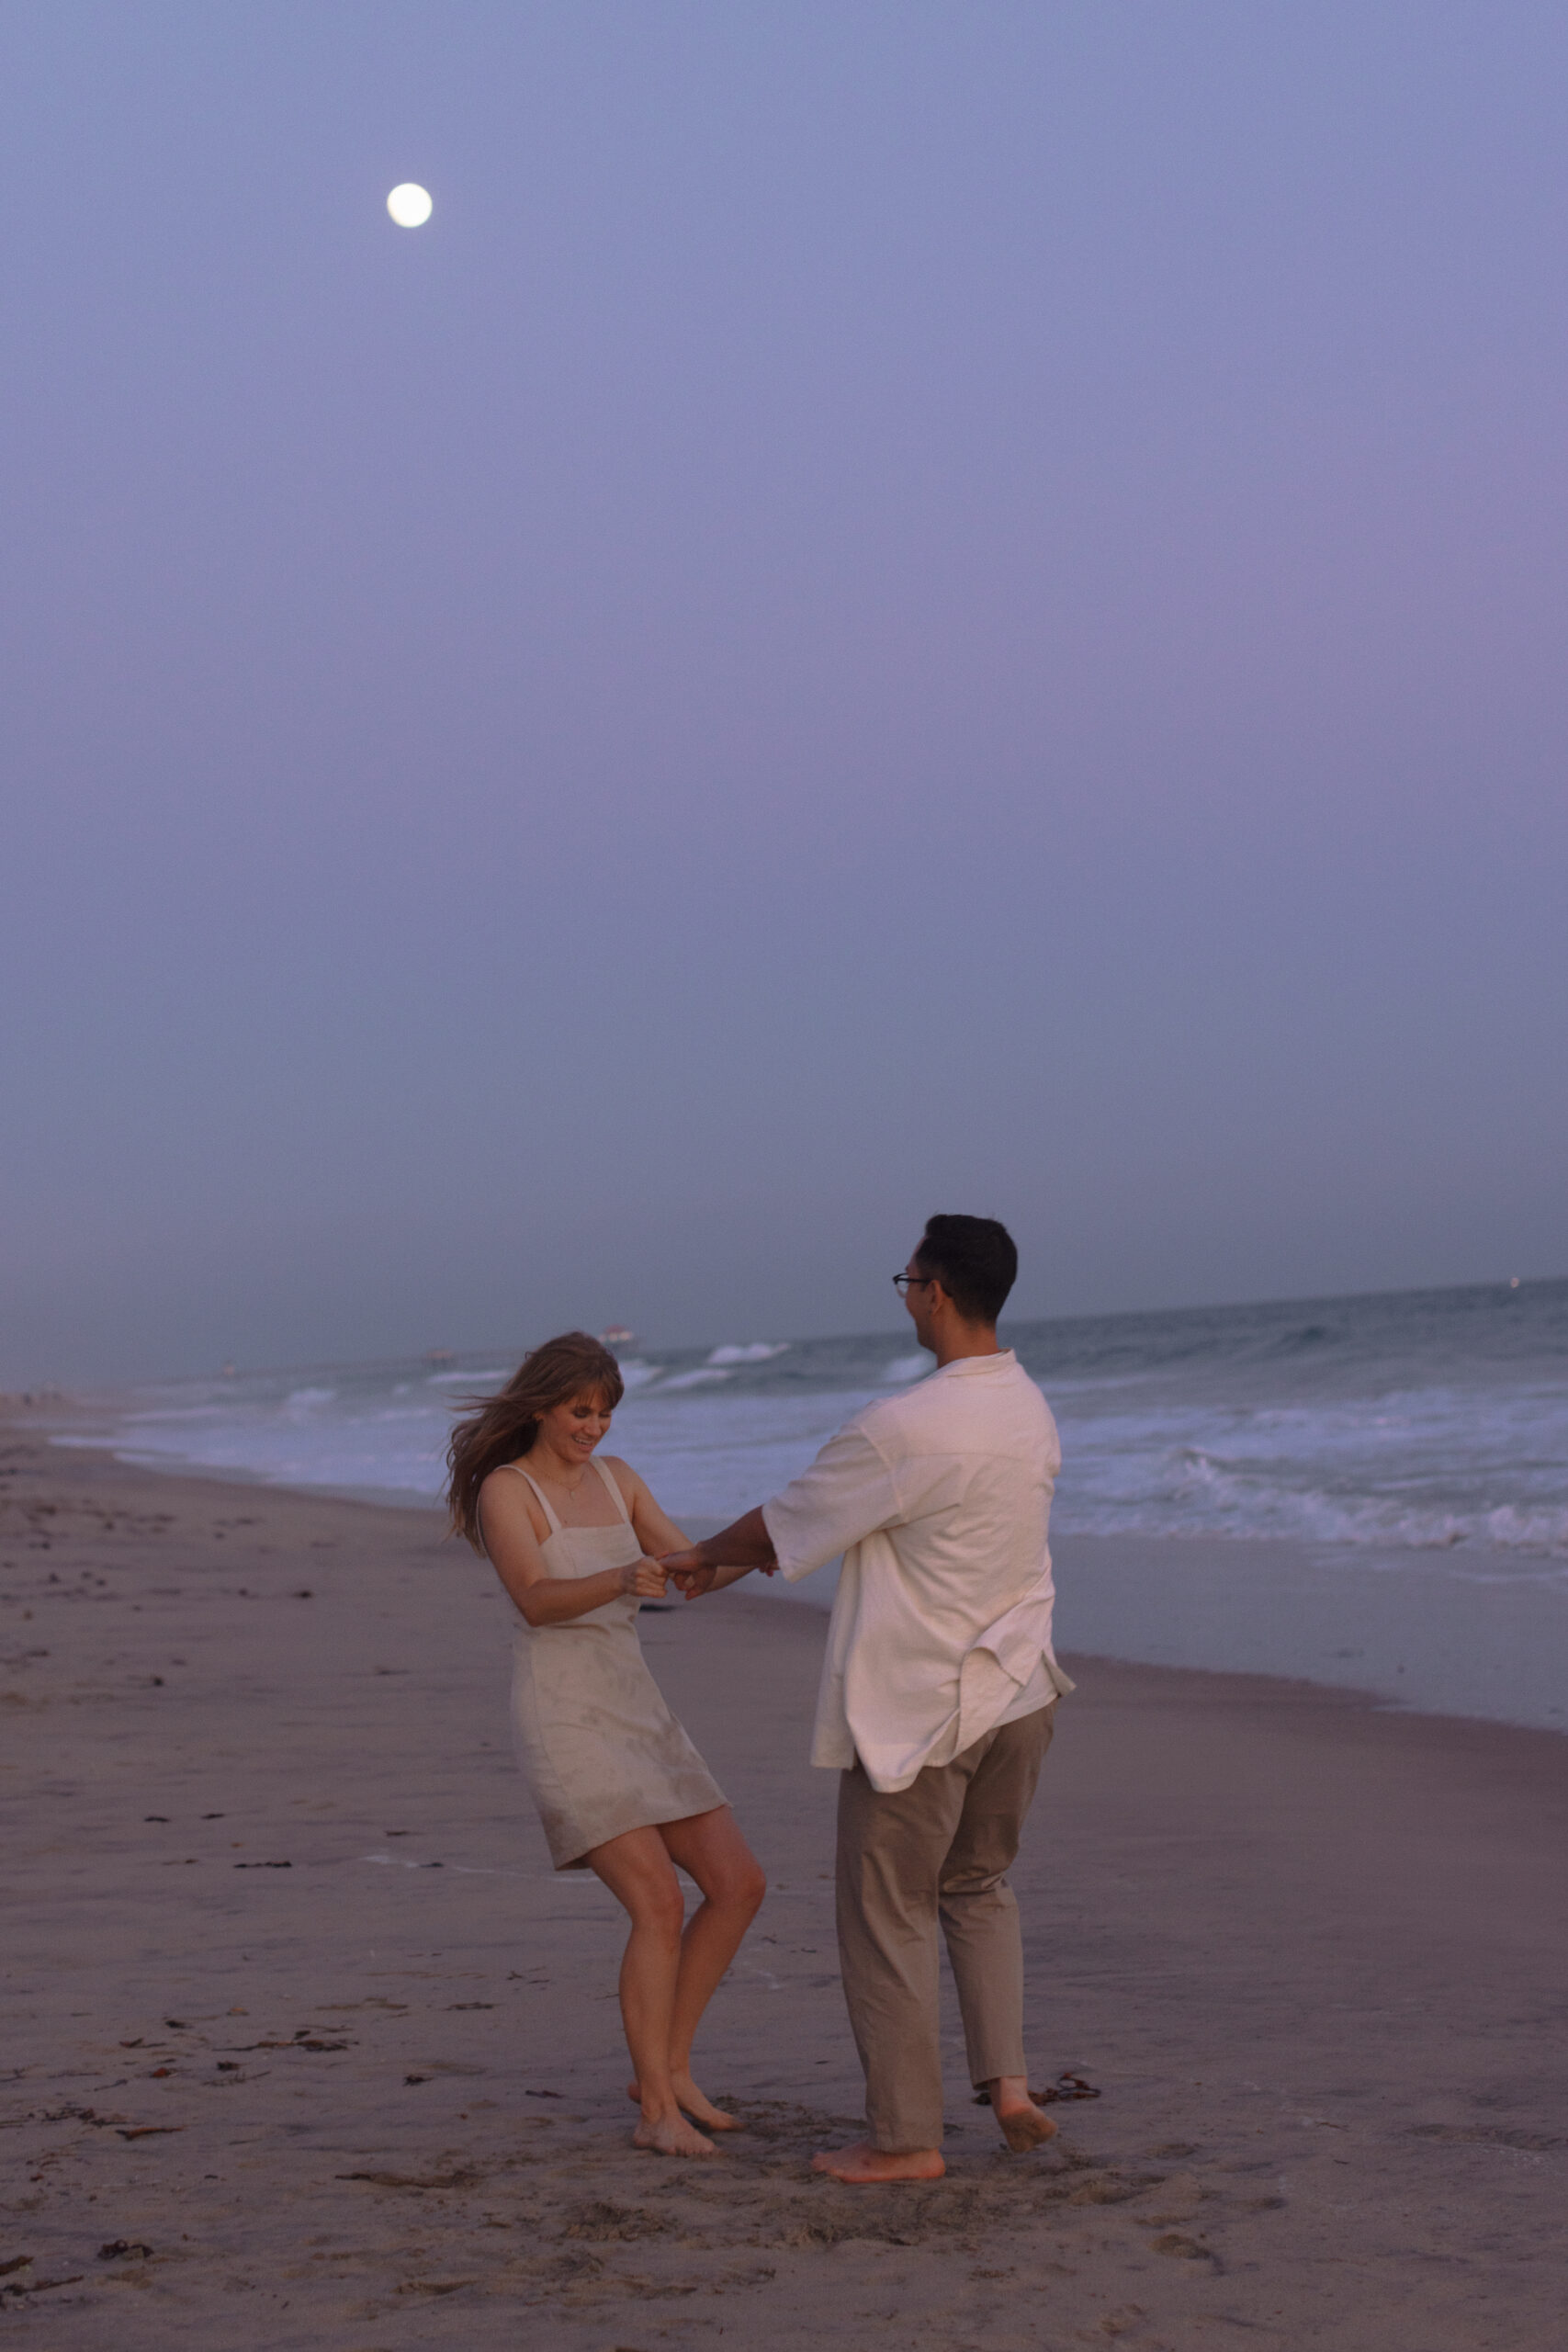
column 937, row 1850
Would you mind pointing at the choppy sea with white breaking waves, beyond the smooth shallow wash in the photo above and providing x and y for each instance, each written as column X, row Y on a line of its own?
column 1435, row 1426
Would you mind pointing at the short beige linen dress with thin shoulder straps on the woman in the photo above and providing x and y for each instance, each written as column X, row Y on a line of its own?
column 596, row 1739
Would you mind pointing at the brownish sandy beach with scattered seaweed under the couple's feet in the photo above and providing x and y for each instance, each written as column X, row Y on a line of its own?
column 307, row 2045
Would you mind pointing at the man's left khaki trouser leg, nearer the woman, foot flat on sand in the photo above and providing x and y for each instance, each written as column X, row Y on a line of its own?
column 890, row 1871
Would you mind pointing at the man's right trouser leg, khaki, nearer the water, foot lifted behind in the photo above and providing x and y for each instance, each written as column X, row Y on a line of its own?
column 977, row 1906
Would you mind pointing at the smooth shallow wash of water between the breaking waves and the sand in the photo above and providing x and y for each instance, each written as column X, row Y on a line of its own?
column 1372, row 1622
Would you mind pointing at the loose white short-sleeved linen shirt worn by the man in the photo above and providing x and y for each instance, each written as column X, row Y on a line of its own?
column 942, row 1626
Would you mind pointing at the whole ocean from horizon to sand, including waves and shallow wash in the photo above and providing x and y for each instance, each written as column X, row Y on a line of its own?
column 1402, row 1443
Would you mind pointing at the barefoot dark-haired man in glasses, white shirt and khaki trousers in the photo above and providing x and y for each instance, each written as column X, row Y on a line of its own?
column 939, row 1692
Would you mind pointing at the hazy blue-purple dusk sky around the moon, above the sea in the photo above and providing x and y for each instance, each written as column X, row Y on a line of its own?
column 892, row 608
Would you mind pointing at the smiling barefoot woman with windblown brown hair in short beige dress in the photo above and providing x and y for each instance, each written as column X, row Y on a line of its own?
column 619, row 1786
